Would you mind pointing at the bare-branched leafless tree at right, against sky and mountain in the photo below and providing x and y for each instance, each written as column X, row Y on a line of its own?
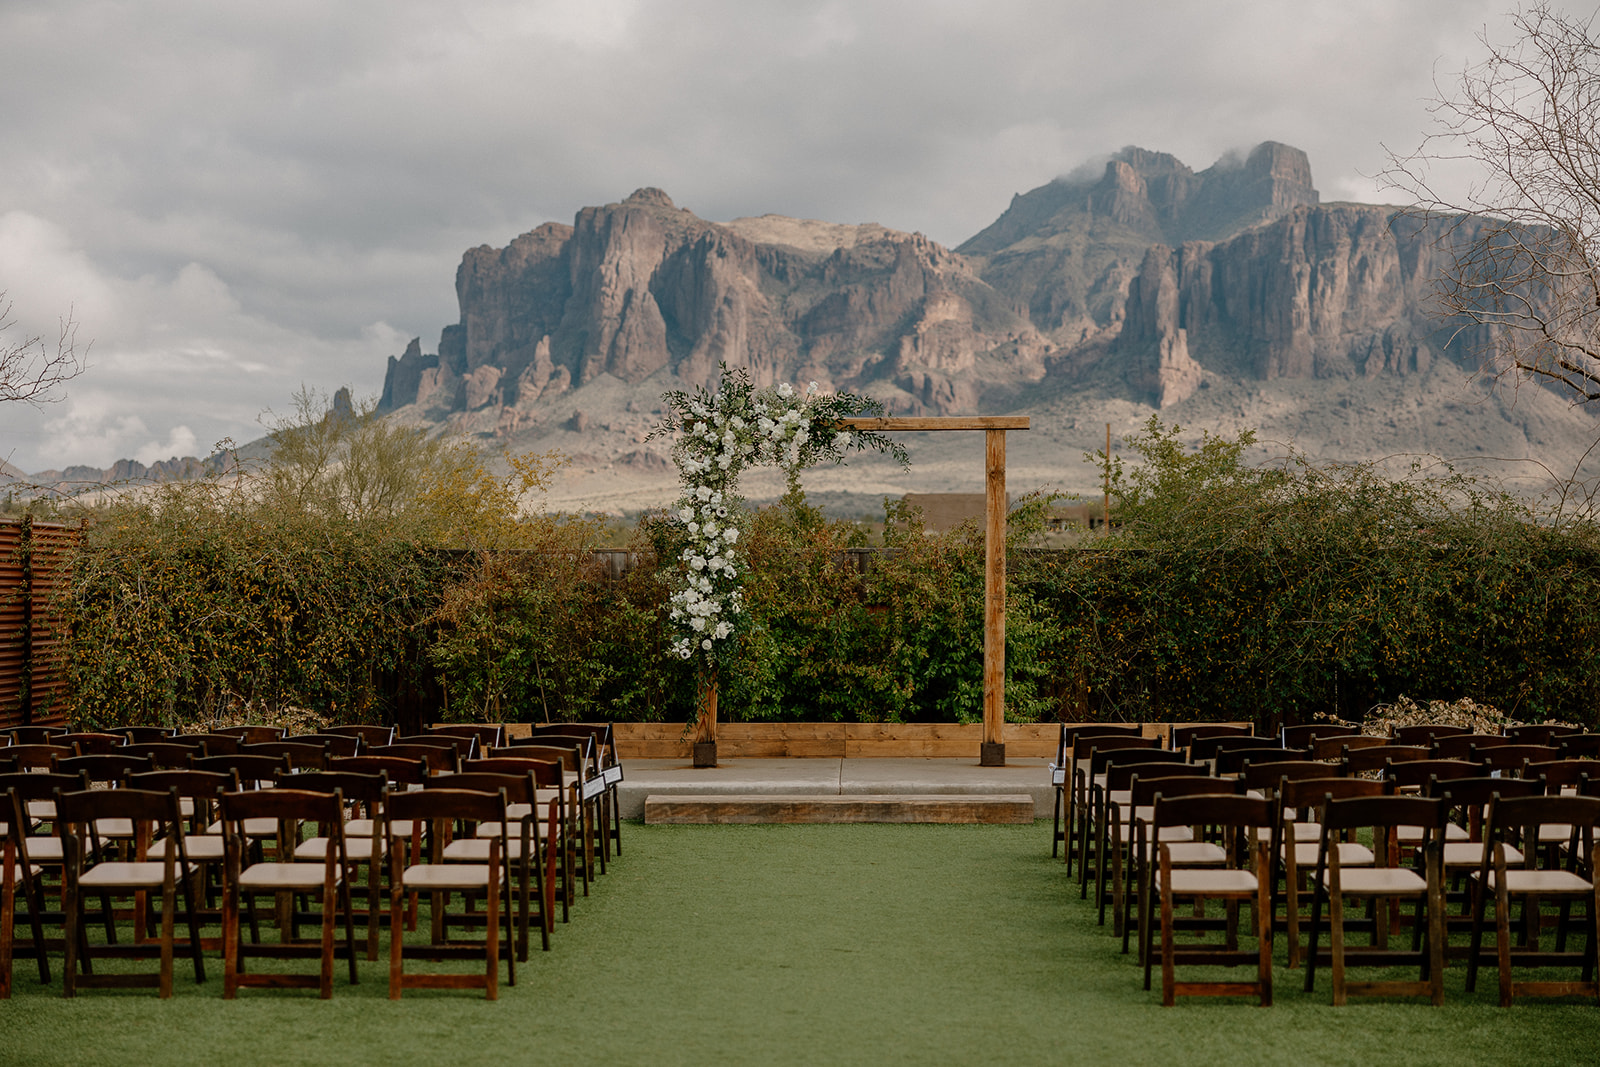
column 1526, row 238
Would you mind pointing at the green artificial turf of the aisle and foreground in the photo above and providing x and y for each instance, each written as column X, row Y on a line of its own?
column 801, row 945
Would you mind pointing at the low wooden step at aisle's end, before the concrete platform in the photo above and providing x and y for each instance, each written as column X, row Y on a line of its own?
column 713, row 809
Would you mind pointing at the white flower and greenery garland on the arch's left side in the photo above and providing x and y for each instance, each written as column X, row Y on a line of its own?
column 719, row 434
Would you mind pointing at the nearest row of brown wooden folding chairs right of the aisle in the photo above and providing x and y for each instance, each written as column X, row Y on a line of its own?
column 1239, row 869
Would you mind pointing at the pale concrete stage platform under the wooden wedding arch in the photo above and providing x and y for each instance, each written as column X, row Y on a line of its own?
column 791, row 778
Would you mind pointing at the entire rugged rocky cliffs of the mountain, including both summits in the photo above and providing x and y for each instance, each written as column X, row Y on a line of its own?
column 1167, row 276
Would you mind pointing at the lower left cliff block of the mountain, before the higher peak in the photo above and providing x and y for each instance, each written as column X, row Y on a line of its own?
column 642, row 287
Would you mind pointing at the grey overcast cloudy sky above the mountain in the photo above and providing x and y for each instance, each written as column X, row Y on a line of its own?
column 238, row 199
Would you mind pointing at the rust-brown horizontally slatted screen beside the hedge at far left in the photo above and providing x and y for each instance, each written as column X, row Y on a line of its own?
column 34, row 561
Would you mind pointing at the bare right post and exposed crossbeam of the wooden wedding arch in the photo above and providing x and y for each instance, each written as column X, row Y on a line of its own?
column 994, row 428
